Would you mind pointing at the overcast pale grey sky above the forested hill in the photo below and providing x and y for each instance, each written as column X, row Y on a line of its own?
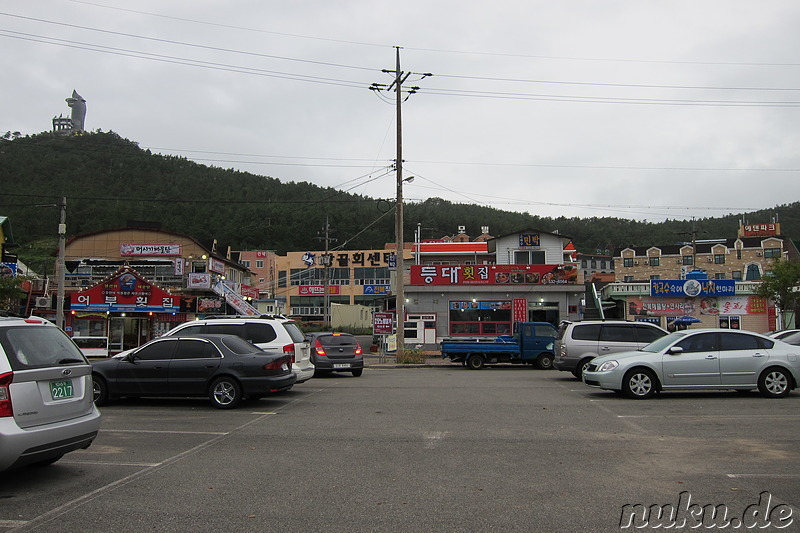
column 640, row 109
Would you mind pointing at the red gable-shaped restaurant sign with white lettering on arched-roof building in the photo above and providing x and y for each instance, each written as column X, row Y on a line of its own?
column 125, row 291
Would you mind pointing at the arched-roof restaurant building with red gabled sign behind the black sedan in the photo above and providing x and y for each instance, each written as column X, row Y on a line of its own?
column 132, row 284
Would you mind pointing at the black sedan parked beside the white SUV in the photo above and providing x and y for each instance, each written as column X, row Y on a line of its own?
column 225, row 368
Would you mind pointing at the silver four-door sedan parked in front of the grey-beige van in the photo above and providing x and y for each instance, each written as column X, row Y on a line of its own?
column 716, row 359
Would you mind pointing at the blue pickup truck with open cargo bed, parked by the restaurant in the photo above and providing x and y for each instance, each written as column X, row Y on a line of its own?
column 532, row 343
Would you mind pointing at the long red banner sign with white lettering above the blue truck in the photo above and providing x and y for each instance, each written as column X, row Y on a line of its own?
column 493, row 274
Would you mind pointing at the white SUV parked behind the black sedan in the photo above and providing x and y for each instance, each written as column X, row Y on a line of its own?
column 268, row 332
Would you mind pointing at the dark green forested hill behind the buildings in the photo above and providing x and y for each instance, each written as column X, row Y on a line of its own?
column 109, row 181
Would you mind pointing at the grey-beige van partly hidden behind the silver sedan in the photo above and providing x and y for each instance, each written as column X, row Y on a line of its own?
column 577, row 343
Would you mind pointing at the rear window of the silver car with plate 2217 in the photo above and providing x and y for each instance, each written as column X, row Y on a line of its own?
column 34, row 347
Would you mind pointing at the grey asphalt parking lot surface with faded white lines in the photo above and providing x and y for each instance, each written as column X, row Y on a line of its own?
column 431, row 448
